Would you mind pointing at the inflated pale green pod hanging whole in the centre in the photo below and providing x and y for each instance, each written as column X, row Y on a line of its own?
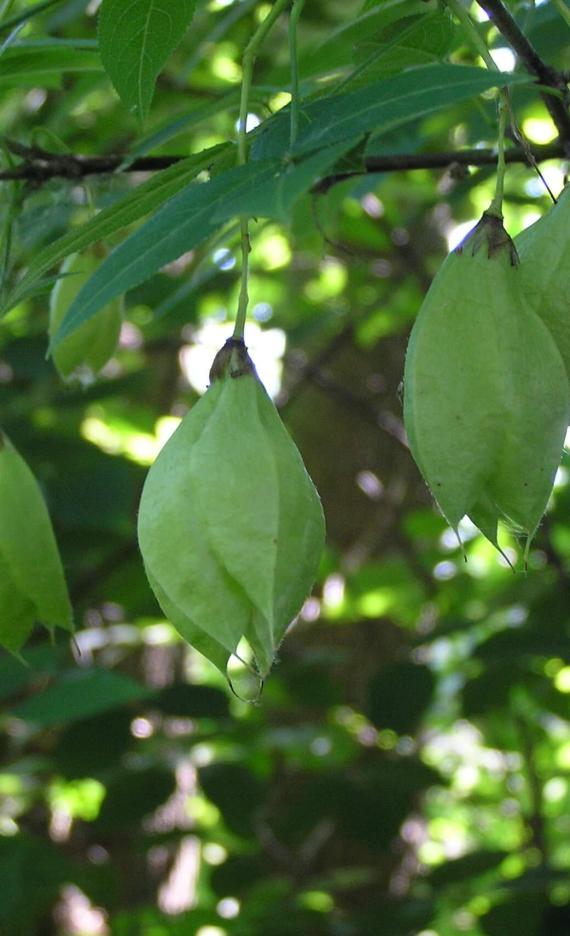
column 231, row 527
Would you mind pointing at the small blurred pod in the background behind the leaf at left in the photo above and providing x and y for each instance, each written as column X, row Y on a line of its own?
column 83, row 353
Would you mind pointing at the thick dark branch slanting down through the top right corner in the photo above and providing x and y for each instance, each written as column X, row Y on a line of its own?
column 501, row 17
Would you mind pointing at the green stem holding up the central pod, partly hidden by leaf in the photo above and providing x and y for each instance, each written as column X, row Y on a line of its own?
column 248, row 63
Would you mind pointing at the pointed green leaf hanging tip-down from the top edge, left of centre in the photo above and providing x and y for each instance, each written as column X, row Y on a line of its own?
column 136, row 37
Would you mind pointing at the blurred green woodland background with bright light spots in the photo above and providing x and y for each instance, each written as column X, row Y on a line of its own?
column 407, row 772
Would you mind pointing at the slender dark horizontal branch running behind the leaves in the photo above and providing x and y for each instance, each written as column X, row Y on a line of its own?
column 39, row 166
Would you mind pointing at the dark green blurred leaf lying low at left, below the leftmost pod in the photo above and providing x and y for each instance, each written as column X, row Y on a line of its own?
column 79, row 693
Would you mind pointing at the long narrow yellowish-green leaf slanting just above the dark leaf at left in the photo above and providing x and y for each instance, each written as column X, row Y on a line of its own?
column 131, row 208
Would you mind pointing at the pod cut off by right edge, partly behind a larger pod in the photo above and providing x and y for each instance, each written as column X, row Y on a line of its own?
column 544, row 254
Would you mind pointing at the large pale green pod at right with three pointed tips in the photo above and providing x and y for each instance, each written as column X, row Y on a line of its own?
column 486, row 396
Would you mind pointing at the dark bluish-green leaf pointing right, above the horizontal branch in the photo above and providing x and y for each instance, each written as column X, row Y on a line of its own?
column 380, row 106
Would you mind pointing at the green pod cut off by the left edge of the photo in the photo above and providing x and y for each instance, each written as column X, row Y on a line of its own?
column 32, row 583
